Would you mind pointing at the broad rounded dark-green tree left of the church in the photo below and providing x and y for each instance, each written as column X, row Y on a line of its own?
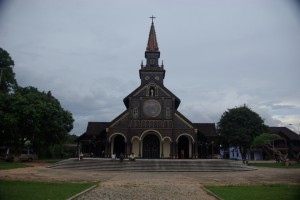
column 35, row 117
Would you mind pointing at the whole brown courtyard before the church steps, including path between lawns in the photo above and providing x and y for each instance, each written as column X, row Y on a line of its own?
column 152, row 185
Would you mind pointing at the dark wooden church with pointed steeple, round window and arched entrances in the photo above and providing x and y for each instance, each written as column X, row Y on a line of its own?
column 151, row 126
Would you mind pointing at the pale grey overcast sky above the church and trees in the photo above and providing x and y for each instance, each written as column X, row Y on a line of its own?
column 217, row 54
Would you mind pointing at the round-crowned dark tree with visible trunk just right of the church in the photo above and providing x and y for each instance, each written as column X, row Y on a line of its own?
column 239, row 126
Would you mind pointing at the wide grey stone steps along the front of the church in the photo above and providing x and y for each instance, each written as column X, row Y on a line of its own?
column 152, row 165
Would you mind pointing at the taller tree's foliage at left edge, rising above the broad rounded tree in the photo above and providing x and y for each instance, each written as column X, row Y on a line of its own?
column 7, row 76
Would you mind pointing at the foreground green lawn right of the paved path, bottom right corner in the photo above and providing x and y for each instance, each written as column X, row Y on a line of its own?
column 256, row 192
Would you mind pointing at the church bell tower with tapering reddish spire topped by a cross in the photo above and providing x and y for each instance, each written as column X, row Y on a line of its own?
column 152, row 70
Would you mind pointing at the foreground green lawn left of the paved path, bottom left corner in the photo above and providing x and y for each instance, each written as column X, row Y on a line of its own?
column 24, row 190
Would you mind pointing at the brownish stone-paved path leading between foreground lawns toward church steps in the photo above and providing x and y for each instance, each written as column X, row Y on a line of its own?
column 144, row 186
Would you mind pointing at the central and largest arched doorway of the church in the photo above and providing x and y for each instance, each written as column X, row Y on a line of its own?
column 151, row 146
